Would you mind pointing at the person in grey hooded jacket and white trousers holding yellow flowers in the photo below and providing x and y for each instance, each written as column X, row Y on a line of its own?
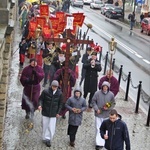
column 103, row 101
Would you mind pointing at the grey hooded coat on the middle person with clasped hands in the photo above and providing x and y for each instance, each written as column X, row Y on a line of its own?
column 75, row 119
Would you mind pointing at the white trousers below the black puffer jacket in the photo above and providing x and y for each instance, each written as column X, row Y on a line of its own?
column 49, row 125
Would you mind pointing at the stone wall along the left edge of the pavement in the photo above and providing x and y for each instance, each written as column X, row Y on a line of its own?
column 6, row 26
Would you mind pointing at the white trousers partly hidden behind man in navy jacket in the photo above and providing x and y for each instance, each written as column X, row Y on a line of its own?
column 99, row 140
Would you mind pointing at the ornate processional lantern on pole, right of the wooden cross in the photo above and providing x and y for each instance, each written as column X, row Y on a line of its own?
column 112, row 50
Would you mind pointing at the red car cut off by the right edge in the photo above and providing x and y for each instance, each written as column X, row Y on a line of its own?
column 145, row 25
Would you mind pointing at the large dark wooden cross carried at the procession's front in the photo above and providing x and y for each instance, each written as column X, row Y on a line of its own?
column 68, row 40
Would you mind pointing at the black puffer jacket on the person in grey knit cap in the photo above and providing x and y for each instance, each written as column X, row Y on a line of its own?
column 51, row 104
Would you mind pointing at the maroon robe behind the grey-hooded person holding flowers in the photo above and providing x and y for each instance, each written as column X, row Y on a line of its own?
column 114, row 85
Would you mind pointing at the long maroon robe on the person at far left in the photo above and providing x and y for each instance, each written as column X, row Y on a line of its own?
column 31, row 84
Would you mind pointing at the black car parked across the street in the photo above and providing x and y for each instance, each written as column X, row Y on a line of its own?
column 114, row 12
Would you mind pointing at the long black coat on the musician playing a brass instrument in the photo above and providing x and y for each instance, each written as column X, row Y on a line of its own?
column 91, row 76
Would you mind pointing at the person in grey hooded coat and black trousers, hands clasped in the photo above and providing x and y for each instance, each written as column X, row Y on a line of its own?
column 76, row 105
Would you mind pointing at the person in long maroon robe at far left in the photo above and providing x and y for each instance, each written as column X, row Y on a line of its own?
column 30, row 79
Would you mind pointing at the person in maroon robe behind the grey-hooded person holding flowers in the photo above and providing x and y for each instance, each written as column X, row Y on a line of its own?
column 114, row 85
